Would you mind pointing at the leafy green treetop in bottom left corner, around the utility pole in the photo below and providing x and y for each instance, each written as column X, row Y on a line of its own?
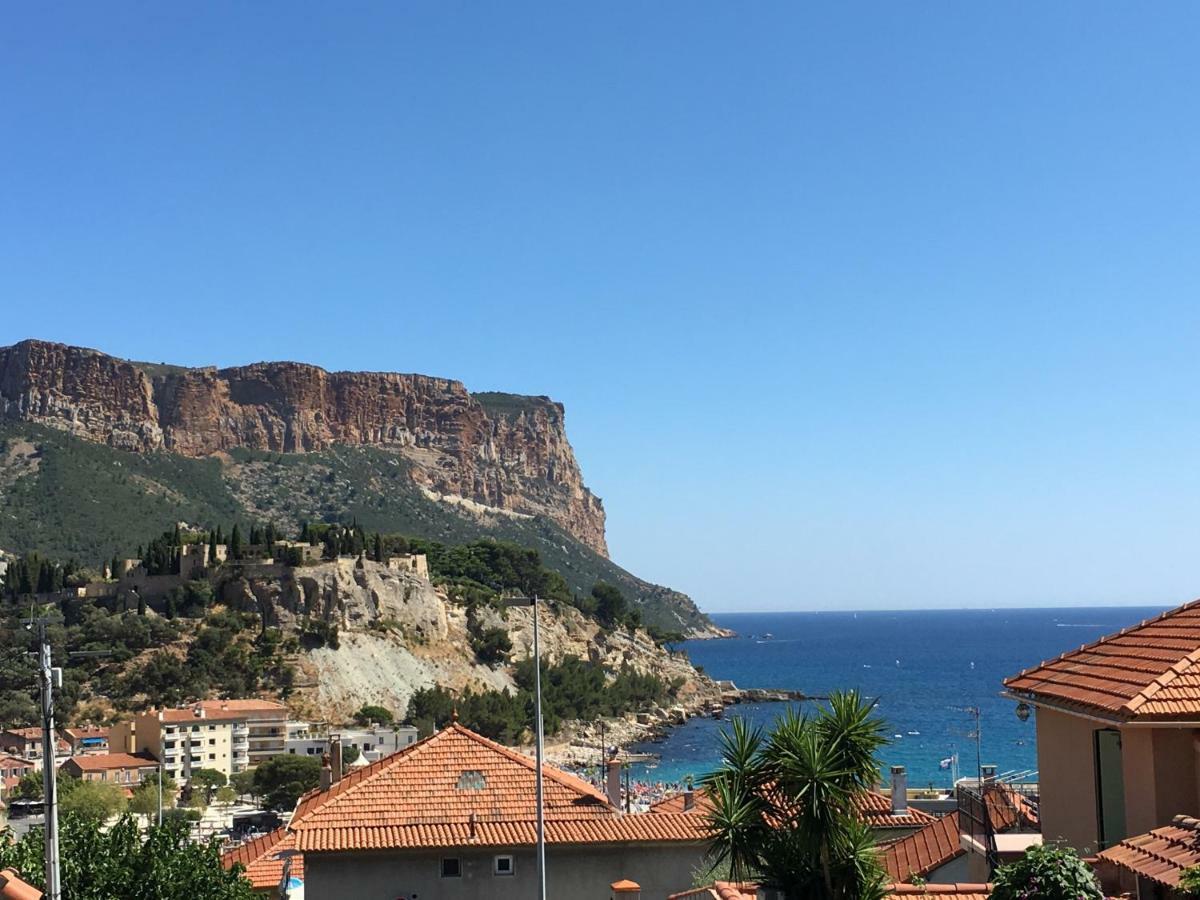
column 99, row 865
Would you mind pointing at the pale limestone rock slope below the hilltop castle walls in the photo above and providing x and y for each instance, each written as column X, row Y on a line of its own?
column 399, row 634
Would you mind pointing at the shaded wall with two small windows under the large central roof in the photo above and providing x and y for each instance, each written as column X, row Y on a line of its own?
column 575, row 873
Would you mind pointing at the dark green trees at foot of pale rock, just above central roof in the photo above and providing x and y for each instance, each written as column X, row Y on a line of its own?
column 573, row 689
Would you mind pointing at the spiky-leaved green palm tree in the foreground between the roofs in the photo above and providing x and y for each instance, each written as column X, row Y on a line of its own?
column 783, row 805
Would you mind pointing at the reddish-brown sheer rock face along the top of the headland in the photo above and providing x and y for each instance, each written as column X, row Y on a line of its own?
column 503, row 452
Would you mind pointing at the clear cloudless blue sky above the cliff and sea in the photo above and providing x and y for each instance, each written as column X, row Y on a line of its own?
column 851, row 305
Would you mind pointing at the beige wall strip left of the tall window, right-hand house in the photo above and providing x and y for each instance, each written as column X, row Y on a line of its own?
column 1067, row 779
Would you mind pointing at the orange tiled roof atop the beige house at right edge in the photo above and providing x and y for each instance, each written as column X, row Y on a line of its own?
column 1149, row 671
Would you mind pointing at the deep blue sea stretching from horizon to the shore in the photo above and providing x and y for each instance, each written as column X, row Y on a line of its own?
column 925, row 668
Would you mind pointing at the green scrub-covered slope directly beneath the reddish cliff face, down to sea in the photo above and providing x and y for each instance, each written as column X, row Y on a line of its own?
column 75, row 500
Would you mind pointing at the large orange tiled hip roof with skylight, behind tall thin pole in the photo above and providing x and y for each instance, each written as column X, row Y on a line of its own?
column 458, row 789
